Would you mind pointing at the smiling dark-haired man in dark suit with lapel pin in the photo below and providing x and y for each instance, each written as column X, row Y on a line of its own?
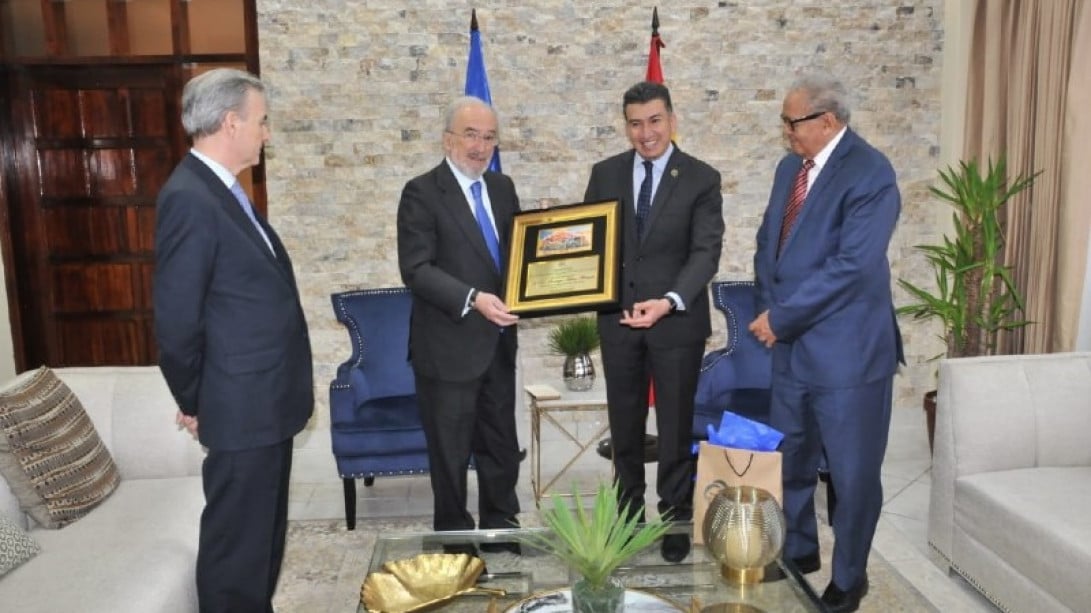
column 673, row 229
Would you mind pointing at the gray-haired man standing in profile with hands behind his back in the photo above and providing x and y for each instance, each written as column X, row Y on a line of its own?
column 233, row 340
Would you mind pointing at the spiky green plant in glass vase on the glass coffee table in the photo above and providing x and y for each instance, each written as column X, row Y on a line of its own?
column 594, row 544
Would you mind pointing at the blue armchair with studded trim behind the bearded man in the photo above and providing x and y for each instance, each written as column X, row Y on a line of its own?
column 375, row 420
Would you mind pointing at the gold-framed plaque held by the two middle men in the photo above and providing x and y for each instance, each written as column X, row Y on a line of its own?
column 565, row 259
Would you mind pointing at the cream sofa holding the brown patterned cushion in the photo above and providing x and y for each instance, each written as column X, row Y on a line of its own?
column 137, row 552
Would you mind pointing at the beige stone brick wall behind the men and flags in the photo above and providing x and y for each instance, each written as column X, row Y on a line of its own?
column 358, row 91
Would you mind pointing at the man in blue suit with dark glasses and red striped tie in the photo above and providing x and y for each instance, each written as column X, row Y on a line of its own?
column 825, row 308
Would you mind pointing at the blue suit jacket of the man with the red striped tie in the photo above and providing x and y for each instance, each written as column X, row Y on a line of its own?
column 829, row 294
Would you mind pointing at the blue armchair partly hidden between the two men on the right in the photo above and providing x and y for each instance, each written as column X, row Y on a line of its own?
column 737, row 378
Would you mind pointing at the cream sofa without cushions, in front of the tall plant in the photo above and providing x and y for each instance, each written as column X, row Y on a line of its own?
column 1011, row 507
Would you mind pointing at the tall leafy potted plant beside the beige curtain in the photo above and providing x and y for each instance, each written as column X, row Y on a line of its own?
column 975, row 297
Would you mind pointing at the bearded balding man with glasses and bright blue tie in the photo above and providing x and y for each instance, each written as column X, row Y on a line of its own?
column 453, row 231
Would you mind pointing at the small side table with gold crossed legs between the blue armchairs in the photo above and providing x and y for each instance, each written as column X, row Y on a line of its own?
column 545, row 403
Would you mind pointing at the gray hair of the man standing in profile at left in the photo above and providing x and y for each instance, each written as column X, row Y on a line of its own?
column 210, row 97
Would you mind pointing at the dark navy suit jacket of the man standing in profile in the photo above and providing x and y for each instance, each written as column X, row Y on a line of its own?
column 233, row 340
